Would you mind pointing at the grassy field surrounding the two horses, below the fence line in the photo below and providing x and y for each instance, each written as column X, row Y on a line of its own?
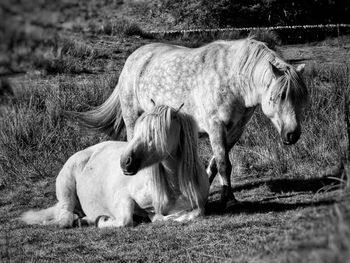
column 294, row 201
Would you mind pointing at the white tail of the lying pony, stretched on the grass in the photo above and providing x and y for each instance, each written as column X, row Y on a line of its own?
column 40, row 217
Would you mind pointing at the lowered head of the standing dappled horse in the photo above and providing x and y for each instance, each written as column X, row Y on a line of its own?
column 283, row 100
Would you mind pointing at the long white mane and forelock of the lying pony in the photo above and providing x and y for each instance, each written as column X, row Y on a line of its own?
column 156, row 126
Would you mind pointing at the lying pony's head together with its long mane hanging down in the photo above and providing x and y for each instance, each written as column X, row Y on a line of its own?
column 161, row 137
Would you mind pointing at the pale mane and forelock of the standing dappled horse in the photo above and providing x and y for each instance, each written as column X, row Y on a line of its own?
column 254, row 59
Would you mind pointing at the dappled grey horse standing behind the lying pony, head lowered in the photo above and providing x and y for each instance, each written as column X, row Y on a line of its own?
column 220, row 85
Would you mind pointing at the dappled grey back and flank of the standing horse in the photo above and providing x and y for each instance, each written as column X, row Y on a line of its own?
column 200, row 78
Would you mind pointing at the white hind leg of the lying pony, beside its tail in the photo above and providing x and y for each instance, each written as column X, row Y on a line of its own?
column 67, row 197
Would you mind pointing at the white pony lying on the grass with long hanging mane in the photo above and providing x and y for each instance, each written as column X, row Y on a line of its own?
column 158, row 174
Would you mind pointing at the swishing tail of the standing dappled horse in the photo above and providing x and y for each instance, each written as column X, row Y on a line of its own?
column 106, row 118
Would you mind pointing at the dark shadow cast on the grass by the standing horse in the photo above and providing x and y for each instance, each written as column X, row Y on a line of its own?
column 278, row 186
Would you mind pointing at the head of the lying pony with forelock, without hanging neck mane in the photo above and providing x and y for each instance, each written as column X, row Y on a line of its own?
column 156, row 138
